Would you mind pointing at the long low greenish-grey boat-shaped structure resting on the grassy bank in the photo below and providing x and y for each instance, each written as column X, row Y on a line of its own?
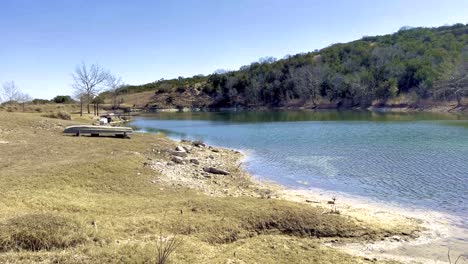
column 98, row 130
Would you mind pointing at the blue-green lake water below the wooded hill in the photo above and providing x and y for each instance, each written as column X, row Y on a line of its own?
column 417, row 160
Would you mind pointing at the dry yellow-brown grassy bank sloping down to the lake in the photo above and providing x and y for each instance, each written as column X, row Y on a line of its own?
column 67, row 199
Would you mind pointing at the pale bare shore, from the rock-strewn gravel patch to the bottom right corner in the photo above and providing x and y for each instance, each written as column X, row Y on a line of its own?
column 429, row 245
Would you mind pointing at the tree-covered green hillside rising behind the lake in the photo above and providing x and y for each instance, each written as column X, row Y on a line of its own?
column 414, row 66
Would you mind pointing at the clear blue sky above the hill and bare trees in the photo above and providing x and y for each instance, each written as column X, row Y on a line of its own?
column 142, row 41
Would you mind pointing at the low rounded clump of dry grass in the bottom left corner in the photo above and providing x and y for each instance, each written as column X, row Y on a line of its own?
column 36, row 232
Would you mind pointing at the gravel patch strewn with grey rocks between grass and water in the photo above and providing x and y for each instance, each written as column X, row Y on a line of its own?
column 210, row 170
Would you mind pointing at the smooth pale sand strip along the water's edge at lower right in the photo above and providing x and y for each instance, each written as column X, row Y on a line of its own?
column 440, row 230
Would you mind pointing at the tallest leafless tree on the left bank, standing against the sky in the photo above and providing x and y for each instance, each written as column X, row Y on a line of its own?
column 88, row 81
